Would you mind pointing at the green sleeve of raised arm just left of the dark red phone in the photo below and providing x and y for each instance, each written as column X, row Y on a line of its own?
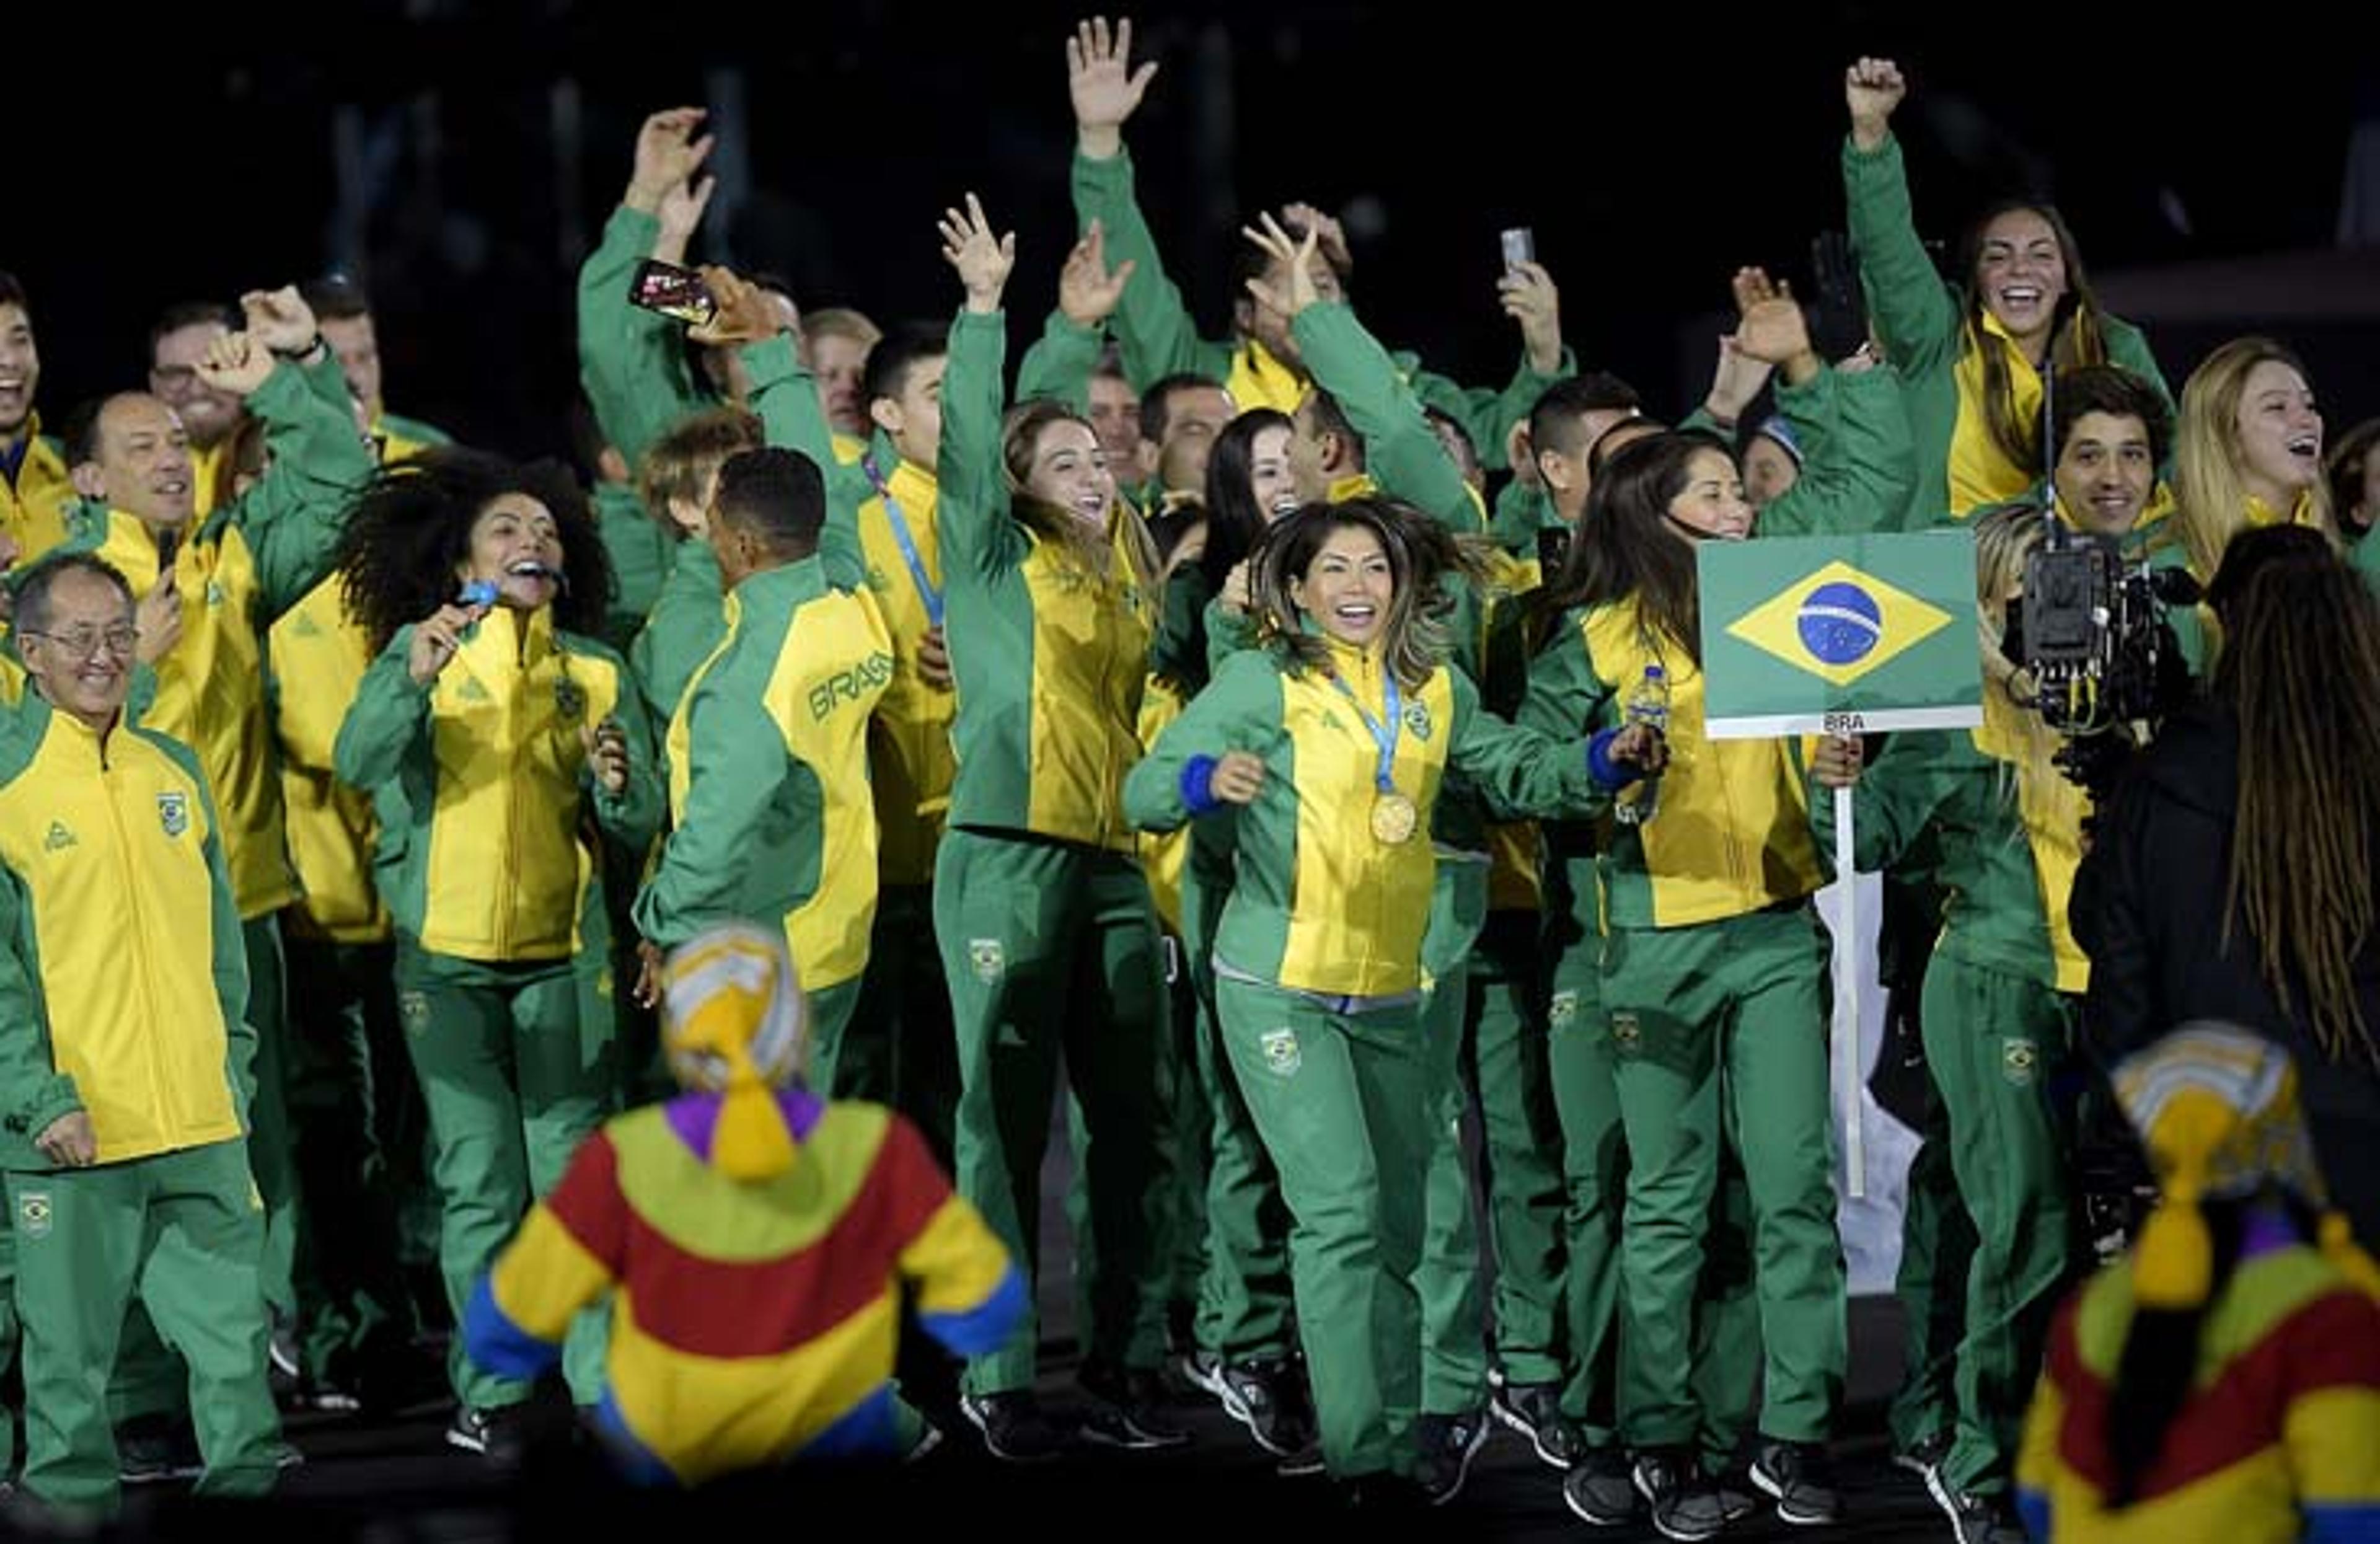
column 632, row 363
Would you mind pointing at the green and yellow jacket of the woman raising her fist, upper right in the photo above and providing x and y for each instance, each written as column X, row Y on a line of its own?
column 1941, row 358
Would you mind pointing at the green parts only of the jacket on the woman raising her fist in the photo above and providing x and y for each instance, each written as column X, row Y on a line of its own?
column 1922, row 325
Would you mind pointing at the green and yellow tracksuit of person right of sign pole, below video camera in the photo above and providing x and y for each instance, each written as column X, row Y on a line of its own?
column 2000, row 1017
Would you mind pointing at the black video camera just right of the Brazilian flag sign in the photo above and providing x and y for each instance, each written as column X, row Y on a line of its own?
column 2093, row 636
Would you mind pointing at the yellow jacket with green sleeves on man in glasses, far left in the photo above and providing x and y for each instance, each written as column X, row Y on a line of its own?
column 123, row 974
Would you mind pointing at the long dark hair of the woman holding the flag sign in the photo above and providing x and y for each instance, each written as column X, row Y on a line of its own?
column 1627, row 546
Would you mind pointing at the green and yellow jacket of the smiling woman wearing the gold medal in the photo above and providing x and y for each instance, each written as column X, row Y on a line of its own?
column 1320, row 903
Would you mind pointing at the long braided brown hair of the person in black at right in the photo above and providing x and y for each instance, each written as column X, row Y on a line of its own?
column 2300, row 667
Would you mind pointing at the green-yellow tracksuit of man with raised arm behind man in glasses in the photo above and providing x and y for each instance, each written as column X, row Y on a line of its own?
column 237, row 572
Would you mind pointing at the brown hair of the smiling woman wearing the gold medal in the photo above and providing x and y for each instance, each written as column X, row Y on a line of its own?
column 1420, row 556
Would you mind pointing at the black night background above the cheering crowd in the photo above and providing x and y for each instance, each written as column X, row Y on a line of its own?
column 463, row 161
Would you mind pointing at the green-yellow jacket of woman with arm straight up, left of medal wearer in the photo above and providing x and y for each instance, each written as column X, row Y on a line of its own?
column 1051, row 655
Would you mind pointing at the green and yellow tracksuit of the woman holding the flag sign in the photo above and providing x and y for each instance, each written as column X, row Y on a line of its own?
column 1712, row 996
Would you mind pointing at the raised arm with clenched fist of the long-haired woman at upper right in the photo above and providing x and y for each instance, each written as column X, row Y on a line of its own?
column 1908, row 301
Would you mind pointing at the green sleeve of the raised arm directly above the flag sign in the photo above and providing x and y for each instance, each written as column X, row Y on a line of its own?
column 1858, row 463
